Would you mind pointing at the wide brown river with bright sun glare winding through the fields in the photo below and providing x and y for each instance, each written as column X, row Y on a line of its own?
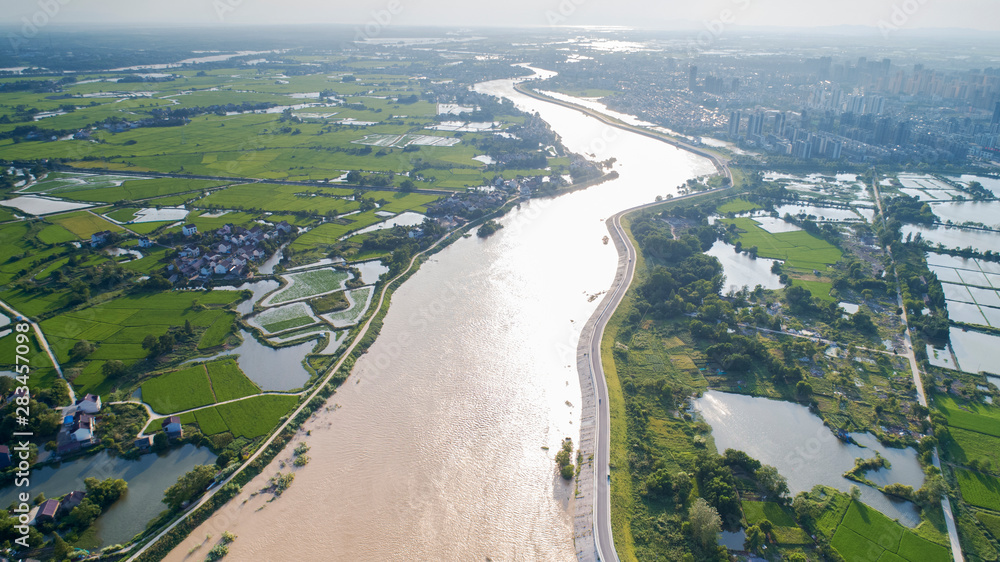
column 435, row 447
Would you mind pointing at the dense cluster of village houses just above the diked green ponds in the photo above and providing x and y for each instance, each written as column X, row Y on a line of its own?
column 227, row 256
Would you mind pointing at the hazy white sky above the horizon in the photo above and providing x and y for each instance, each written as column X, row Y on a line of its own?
column 974, row 14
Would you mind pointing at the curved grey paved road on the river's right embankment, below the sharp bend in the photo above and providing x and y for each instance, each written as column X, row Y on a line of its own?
column 592, row 371
